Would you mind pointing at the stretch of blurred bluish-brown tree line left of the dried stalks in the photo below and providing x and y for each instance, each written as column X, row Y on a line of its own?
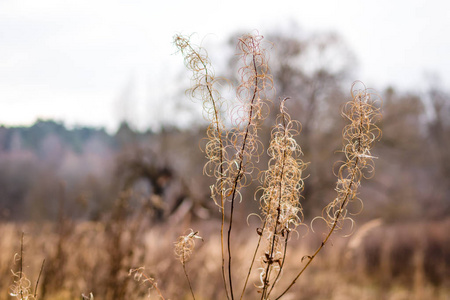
column 47, row 170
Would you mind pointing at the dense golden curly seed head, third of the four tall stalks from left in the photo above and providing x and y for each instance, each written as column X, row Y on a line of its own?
column 282, row 185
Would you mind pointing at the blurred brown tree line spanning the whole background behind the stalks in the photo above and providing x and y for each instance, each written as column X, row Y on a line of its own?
column 47, row 164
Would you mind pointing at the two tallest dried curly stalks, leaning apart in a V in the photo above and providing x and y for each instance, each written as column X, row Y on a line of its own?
column 231, row 153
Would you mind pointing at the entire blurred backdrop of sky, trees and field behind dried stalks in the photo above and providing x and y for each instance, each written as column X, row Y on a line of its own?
column 100, row 164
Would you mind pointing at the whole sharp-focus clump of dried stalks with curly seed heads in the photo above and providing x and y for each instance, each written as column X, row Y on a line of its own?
column 232, row 152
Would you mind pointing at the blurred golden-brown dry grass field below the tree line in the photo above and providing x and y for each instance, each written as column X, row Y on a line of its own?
column 406, row 261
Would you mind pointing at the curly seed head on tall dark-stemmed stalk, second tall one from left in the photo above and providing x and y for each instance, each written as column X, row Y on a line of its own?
column 255, row 83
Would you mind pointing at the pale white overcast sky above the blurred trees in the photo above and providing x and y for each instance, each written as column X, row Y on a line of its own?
column 74, row 60
